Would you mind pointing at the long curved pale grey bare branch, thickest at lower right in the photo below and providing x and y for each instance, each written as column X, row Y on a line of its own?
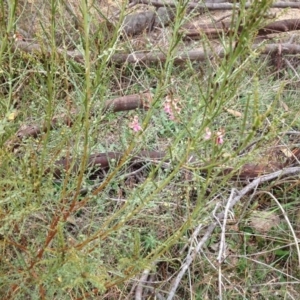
column 190, row 257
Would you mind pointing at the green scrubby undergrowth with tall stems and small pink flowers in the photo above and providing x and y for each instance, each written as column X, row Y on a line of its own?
column 93, row 232
